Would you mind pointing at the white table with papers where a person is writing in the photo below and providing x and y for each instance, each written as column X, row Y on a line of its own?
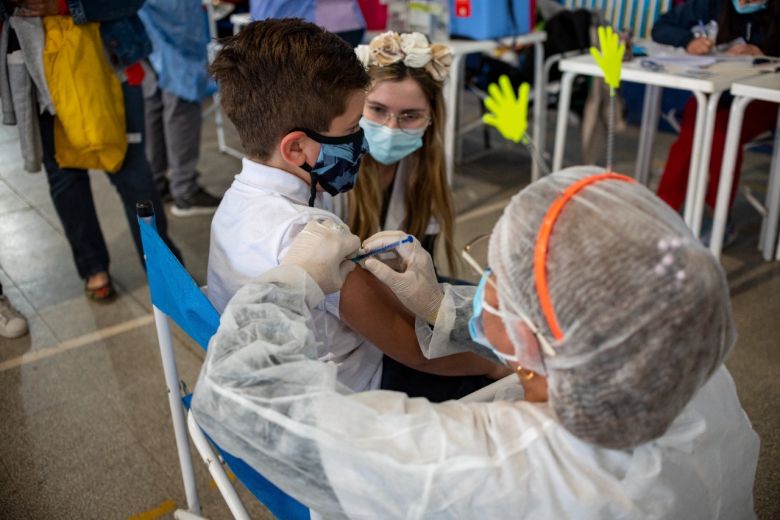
column 707, row 91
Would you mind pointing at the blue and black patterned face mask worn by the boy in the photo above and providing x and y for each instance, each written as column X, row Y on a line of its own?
column 338, row 162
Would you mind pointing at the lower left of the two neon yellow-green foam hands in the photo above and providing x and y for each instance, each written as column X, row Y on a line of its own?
column 507, row 113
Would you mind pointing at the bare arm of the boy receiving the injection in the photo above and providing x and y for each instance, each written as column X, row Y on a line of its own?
column 369, row 308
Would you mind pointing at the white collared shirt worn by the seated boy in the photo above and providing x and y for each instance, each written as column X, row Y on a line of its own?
column 259, row 216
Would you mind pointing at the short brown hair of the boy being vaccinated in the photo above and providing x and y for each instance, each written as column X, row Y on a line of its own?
column 278, row 75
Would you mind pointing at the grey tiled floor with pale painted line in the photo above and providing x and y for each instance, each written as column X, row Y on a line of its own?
column 84, row 425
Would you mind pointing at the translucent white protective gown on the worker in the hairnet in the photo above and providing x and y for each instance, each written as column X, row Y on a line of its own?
column 263, row 397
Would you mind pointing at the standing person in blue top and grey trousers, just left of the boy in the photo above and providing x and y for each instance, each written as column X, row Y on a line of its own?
column 172, row 101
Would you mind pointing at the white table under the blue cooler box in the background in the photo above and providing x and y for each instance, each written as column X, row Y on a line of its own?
column 454, row 88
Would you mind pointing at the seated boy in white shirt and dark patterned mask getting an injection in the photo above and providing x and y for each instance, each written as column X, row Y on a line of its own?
column 295, row 94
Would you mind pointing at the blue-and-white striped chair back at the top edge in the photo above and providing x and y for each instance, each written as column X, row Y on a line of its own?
column 639, row 15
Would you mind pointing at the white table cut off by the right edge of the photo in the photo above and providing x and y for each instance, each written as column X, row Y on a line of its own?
column 764, row 88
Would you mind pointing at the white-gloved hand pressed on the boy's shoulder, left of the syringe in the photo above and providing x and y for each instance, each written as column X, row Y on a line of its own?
column 322, row 249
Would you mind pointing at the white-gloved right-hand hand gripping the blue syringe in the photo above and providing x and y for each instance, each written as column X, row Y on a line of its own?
column 416, row 287
